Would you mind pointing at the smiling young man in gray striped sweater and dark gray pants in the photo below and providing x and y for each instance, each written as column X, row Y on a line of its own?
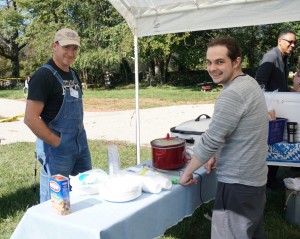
column 236, row 142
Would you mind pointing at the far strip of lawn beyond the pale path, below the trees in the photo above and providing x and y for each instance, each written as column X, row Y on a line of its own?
column 124, row 98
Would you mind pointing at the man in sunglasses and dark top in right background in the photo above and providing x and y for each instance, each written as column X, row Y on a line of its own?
column 272, row 74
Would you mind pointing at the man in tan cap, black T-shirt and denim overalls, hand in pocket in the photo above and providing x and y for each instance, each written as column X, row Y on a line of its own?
column 54, row 113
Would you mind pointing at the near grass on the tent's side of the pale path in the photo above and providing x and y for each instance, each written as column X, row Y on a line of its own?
column 18, row 182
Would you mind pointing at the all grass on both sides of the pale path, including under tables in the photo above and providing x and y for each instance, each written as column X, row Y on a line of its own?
column 17, row 163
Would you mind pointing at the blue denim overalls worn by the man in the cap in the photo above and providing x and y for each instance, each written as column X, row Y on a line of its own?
column 72, row 155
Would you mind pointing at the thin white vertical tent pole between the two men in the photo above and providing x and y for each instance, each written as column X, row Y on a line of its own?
column 136, row 70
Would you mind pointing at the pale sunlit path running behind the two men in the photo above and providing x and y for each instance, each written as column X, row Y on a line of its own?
column 119, row 125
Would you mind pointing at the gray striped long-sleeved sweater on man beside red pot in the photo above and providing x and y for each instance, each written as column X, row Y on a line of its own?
column 238, row 134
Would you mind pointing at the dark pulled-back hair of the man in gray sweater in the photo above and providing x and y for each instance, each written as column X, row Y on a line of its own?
column 230, row 43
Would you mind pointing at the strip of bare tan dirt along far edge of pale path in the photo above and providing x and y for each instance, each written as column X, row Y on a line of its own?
column 109, row 105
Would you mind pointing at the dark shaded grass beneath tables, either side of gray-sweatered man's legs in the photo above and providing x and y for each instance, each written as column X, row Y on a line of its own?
column 275, row 224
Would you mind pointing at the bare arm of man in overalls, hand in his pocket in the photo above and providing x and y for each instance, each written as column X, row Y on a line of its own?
column 37, row 125
